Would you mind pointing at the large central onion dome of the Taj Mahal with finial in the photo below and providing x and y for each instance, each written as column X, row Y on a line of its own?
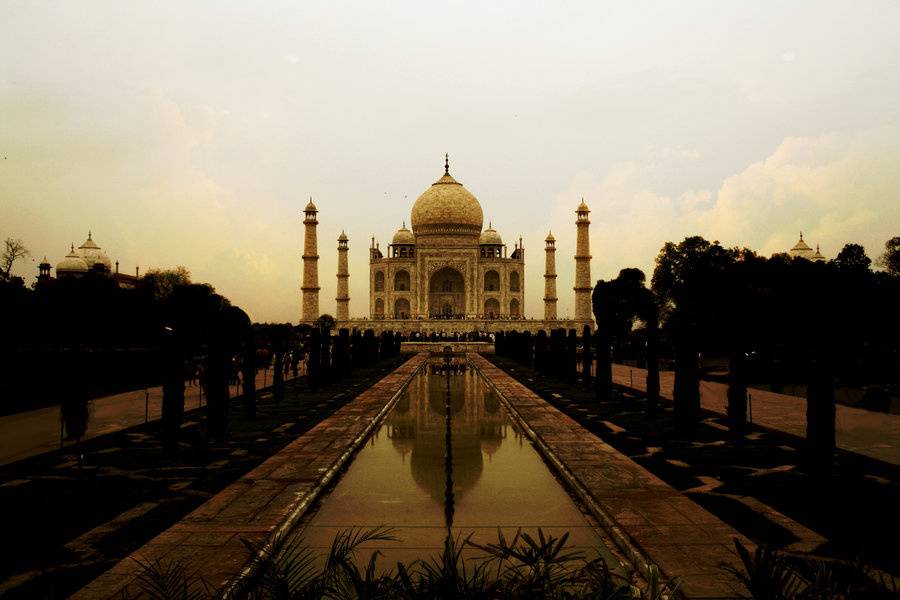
column 447, row 207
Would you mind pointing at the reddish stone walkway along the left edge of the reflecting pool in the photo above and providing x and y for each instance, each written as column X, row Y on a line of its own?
column 209, row 539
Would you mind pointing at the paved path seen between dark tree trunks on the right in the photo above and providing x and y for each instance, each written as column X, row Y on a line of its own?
column 872, row 434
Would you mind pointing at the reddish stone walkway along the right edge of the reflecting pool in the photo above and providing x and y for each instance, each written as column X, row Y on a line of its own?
column 641, row 510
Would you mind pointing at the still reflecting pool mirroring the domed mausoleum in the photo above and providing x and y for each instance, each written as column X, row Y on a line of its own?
column 492, row 477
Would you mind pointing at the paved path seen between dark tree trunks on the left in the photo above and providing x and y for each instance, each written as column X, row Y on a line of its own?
column 34, row 432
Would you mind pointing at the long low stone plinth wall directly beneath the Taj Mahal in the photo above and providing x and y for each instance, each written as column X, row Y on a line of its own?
column 408, row 326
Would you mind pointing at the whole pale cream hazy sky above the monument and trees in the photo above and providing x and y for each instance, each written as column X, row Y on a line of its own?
column 193, row 133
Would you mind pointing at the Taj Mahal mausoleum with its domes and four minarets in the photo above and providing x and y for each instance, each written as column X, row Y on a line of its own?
column 448, row 272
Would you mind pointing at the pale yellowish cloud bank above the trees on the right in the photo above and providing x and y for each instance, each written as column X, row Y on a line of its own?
column 836, row 188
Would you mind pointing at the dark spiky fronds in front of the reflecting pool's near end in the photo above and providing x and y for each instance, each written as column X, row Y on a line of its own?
column 523, row 567
